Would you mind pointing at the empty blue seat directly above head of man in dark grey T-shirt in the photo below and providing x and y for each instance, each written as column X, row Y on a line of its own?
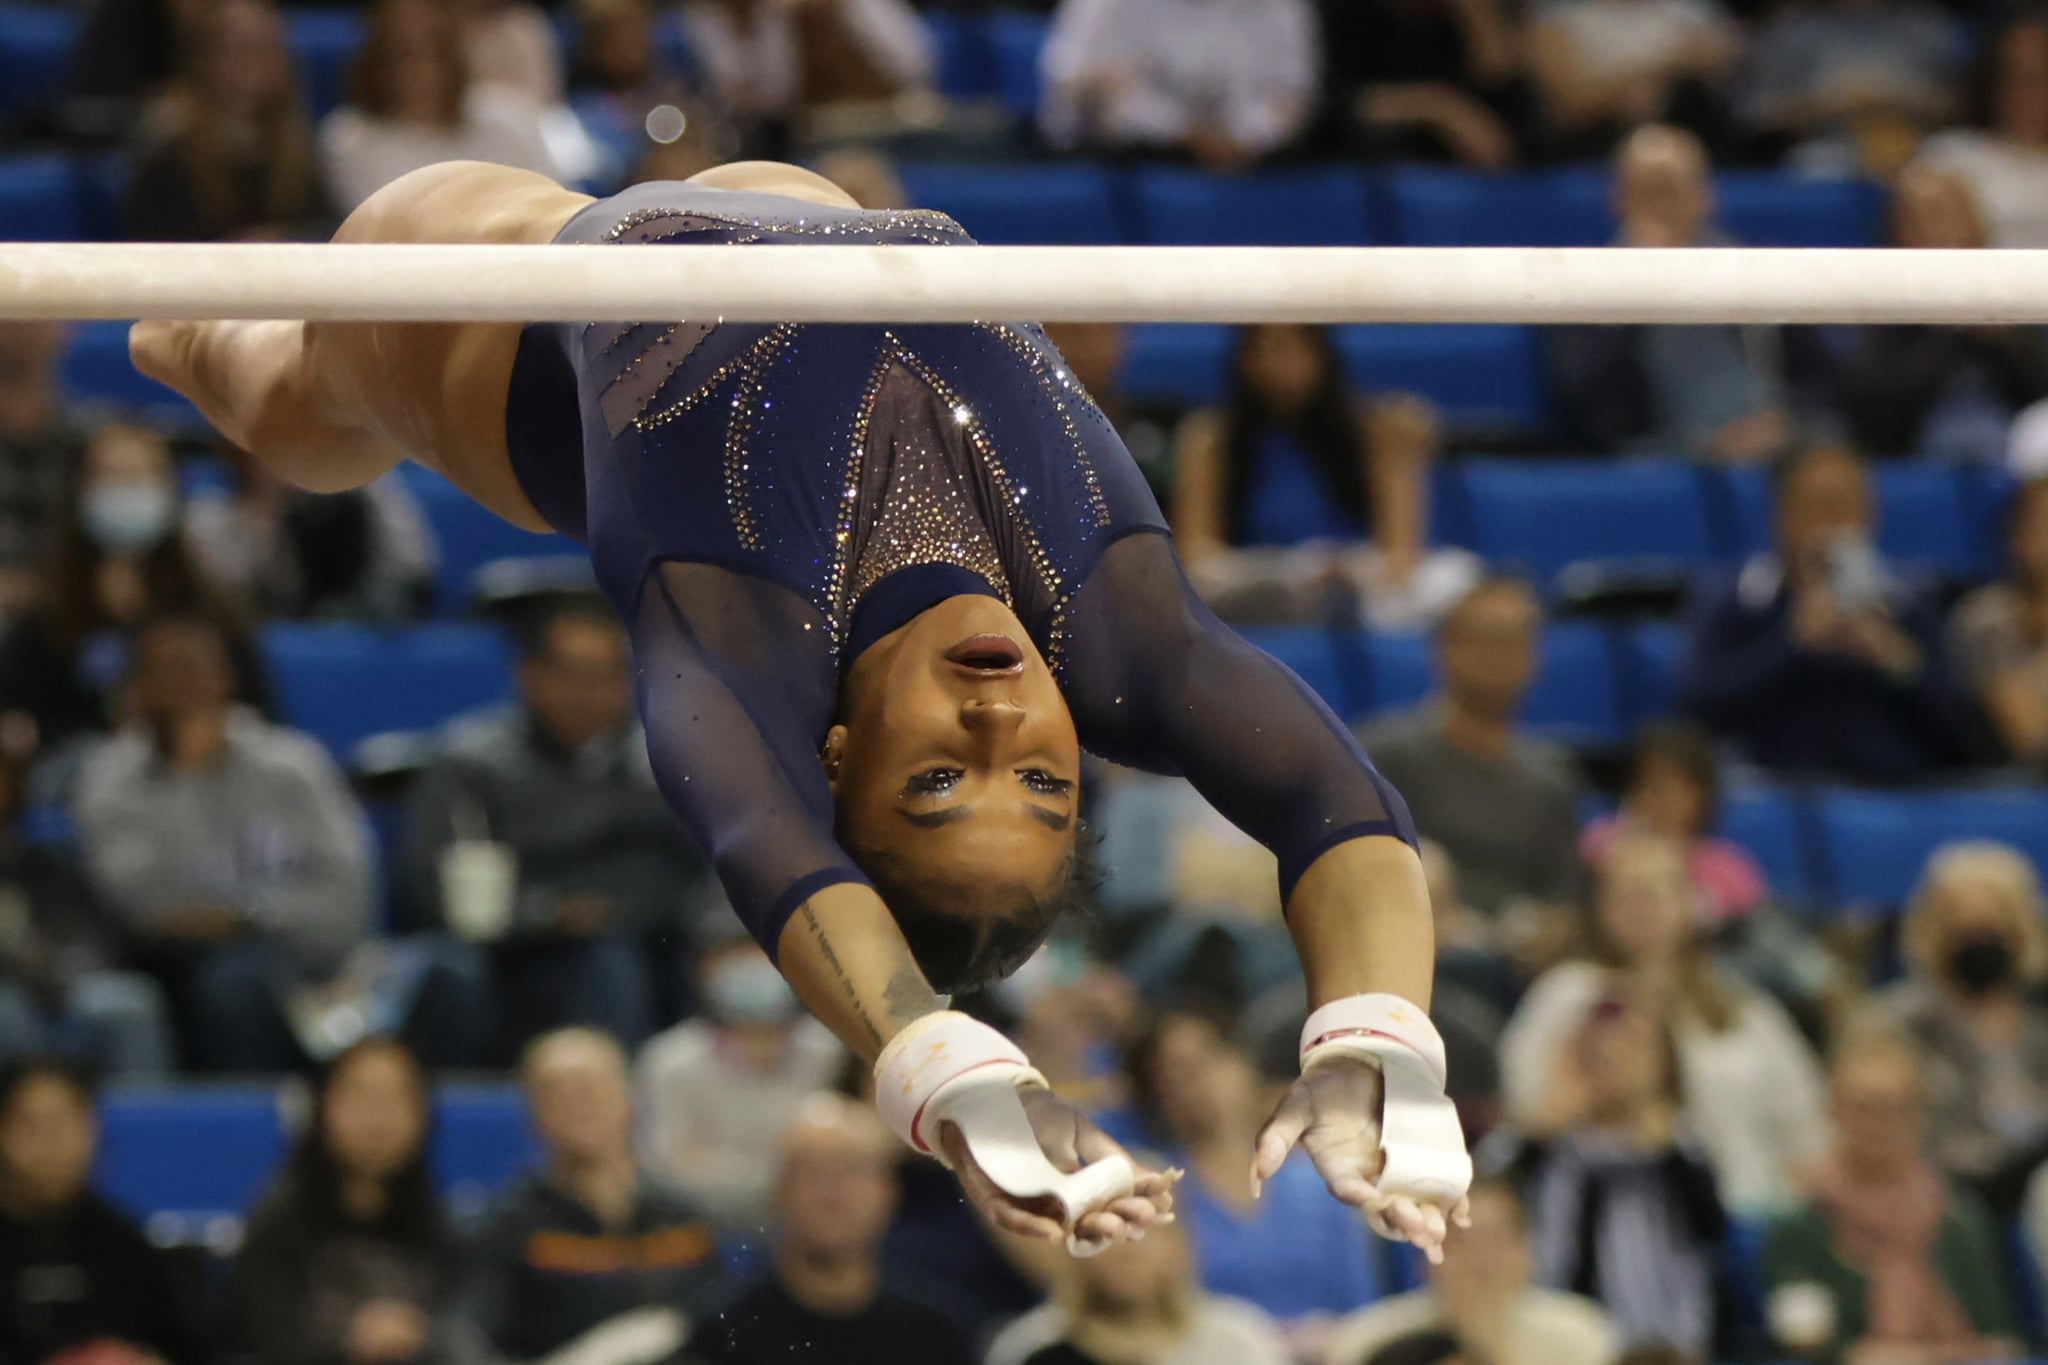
column 1547, row 515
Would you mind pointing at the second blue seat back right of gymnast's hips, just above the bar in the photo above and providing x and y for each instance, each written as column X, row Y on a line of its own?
column 1291, row 208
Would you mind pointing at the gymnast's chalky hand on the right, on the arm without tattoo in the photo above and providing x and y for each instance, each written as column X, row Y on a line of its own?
column 1334, row 1114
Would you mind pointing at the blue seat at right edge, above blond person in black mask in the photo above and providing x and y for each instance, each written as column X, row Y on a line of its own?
column 1875, row 844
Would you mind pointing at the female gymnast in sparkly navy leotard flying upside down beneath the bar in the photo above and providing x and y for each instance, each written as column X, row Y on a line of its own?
column 884, row 584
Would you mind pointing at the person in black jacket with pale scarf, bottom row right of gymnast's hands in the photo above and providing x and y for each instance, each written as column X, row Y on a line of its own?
column 1621, row 1208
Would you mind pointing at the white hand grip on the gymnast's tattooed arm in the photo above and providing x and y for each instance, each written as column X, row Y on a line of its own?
column 990, row 1114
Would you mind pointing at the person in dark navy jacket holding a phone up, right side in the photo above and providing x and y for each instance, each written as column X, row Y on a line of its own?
column 1816, row 658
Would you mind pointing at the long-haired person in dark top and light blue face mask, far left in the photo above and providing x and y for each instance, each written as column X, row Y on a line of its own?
column 116, row 560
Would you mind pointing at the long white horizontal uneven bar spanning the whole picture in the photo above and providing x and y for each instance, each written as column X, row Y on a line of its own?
column 919, row 283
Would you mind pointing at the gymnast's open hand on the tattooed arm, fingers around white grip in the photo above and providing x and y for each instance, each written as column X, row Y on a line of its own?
column 1070, row 1141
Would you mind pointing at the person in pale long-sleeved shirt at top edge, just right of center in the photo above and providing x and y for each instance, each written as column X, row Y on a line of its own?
column 1228, row 83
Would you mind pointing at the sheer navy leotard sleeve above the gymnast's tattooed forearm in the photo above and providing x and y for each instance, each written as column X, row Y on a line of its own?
column 734, row 689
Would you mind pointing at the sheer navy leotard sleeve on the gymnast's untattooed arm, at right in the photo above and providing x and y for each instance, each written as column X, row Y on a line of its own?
column 1158, row 682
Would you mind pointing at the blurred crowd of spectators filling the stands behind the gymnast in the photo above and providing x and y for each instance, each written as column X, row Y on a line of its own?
column 1707, row 1129
